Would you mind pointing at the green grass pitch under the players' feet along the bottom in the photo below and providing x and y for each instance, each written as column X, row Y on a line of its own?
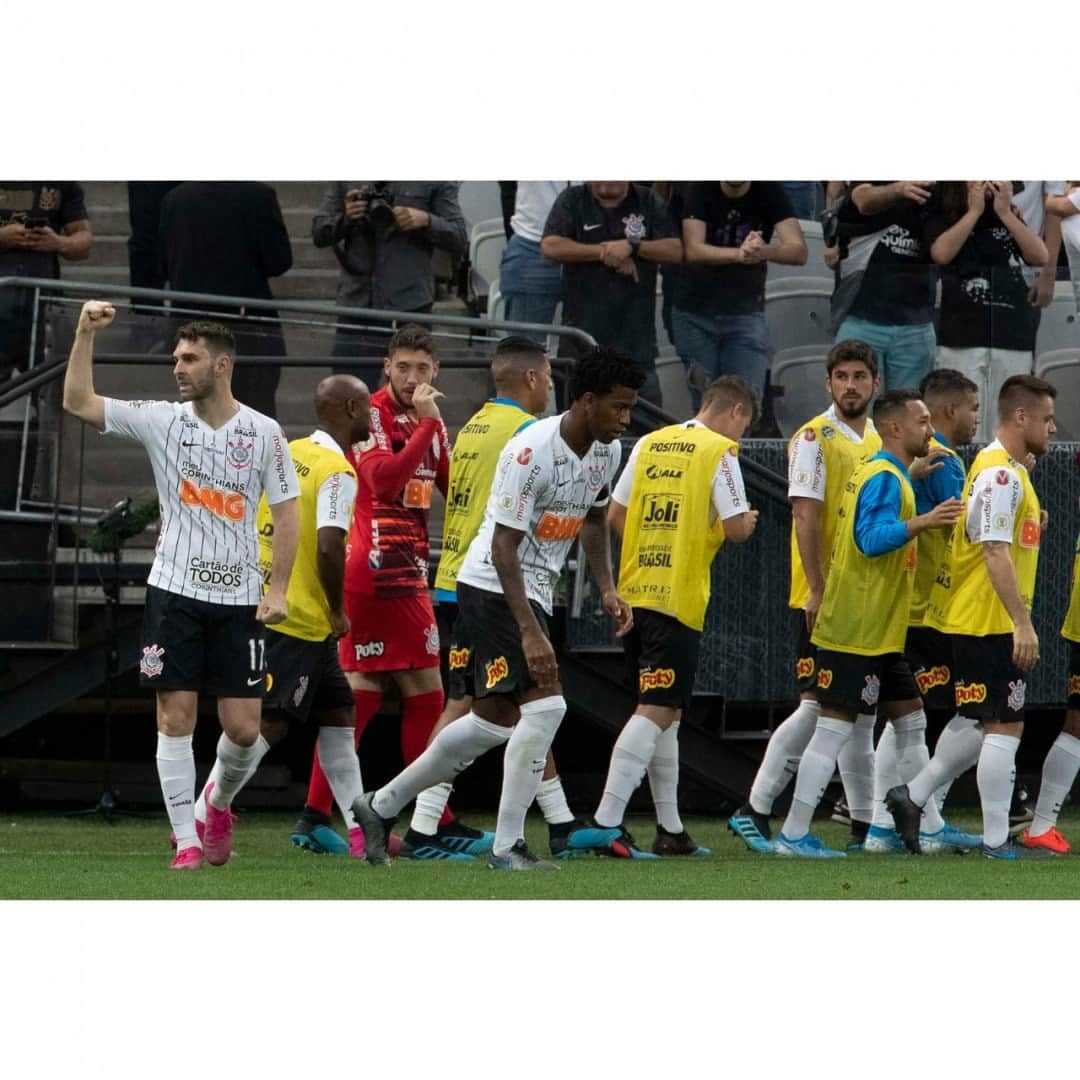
column 57, row 858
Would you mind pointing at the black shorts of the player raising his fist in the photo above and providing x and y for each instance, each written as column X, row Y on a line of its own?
column 194, row 645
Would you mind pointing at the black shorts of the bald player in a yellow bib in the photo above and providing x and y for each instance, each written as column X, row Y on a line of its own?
column 305, row 678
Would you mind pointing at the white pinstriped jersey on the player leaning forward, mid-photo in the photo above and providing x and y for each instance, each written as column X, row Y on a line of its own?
column 545, row 490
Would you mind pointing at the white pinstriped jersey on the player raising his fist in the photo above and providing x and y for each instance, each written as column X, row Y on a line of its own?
column 209, row 487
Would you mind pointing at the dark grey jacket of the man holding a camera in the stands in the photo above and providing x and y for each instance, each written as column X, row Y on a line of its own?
column 391, row 269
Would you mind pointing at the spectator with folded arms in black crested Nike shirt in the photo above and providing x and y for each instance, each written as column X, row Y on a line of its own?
column 611, row 236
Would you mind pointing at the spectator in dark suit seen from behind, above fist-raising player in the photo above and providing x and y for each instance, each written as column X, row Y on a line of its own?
column 228, row 239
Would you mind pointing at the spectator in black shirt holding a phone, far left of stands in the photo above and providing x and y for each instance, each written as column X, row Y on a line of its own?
column 42, row 222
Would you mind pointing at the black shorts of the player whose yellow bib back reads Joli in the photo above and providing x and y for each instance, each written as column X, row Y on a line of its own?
column 663, row 659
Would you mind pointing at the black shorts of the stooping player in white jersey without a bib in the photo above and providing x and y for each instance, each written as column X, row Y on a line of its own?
column 496, row 661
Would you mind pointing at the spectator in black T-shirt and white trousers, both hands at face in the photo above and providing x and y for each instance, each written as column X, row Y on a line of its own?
column 988, row 333
